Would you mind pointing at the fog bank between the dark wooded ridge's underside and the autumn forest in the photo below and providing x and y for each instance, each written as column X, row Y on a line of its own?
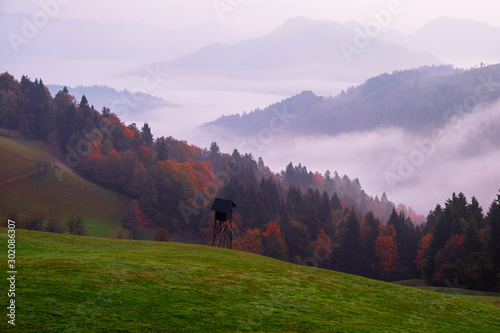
column 417, row 169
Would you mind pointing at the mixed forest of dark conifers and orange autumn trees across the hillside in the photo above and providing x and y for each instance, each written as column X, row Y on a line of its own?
column 297, row 215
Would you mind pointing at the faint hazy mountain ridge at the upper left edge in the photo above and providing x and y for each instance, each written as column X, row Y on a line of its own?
column 79, row 39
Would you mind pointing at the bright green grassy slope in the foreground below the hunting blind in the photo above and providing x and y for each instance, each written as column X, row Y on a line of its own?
column 85, row 284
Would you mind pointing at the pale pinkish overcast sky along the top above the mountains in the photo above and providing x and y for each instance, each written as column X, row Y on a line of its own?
column 260, row 16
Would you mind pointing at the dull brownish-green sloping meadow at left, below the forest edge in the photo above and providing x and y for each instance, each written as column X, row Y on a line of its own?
column 22, row 191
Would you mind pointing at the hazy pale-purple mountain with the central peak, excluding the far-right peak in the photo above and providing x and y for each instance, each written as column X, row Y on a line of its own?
column 300, row 49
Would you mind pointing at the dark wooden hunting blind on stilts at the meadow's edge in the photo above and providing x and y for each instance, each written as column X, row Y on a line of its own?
column 223, row 233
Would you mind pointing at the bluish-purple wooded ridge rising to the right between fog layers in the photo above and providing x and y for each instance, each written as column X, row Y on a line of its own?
column 412, row 99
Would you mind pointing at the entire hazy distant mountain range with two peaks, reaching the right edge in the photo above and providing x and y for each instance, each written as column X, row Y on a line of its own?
column 308, row 49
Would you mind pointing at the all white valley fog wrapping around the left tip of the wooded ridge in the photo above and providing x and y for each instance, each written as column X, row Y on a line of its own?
column 417, row 169
